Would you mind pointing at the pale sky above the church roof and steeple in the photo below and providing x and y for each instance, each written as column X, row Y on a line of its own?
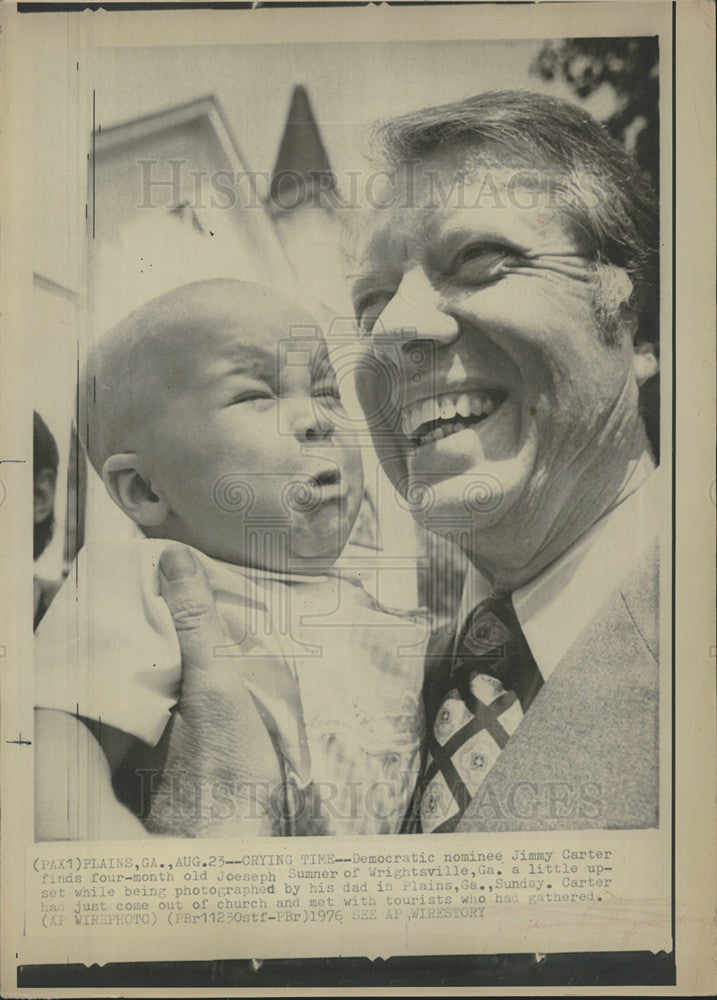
column 350, row 85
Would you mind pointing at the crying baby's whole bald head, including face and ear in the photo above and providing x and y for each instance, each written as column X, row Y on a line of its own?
column 212, row 415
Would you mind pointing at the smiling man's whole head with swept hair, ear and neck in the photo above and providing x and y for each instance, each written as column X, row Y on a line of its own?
column 499, row 287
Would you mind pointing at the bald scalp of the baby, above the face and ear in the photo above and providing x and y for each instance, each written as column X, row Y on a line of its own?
column 152, row 354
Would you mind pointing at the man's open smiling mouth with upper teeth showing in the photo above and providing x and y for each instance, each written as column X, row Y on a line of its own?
column 438, row 417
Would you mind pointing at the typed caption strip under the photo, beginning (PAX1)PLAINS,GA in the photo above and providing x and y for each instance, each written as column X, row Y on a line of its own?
column 423, row 900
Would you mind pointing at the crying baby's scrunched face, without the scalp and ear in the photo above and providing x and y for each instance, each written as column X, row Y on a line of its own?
column 249, row 445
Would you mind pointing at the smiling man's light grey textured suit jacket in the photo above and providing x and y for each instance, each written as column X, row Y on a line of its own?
column 586, row 754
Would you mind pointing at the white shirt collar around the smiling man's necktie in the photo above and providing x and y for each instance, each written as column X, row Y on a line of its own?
column 555, row 606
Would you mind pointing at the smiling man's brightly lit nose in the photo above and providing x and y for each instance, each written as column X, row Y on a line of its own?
column 416, row 312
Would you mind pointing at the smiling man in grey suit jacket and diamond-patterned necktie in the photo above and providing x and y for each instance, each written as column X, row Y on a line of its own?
column 499, row 293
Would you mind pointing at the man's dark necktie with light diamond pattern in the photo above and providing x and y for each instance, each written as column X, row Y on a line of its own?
column 493, row 678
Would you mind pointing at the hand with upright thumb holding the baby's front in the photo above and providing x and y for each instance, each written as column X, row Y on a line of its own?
column 222, row 776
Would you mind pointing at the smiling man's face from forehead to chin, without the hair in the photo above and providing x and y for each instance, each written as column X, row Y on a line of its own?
column 505, row 401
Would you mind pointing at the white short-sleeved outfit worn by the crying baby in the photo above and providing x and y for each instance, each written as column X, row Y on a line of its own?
column 337, row 678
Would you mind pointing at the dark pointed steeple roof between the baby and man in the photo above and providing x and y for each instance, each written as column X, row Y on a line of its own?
column 302, row 165
